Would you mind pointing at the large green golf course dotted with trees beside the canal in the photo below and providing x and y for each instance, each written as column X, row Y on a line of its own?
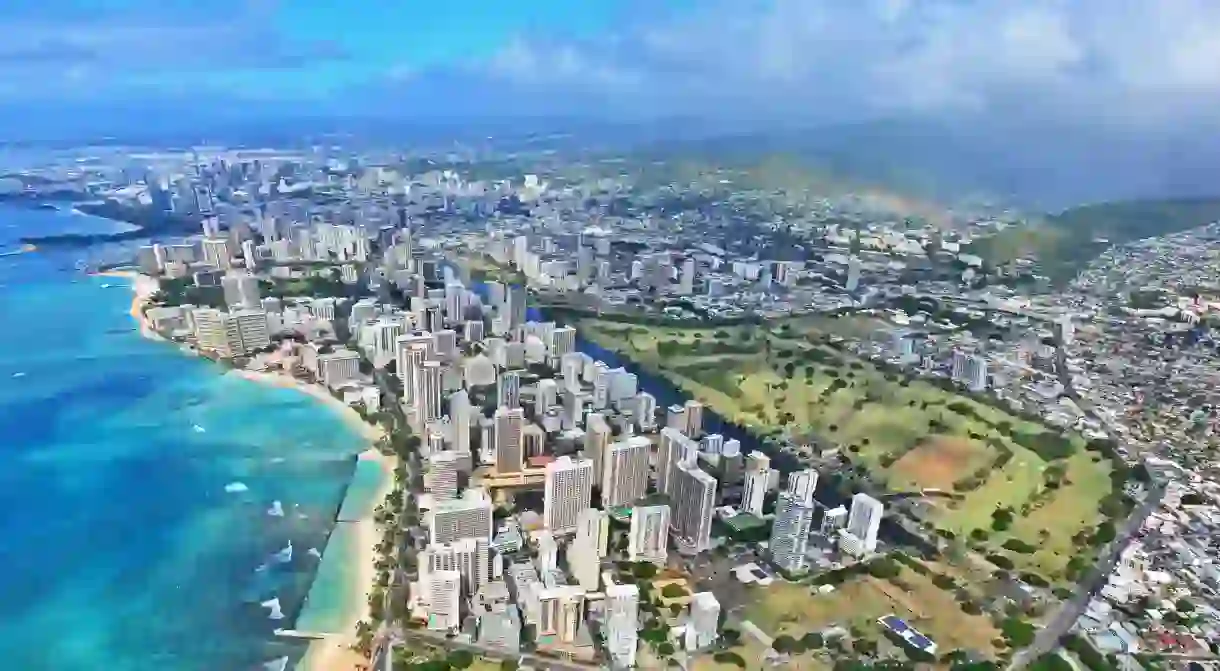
column 910, row 435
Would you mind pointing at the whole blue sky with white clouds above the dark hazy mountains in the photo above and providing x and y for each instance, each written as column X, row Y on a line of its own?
column 1124, row 64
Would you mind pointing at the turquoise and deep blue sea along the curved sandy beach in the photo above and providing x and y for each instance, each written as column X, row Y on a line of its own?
column 126, row 542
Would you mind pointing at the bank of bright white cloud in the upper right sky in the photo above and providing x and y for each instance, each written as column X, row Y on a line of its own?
column 1117, row 60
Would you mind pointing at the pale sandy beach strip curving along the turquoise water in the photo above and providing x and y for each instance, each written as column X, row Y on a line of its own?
column 332, row 653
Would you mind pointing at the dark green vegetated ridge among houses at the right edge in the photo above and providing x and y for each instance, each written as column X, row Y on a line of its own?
column 1066, row 242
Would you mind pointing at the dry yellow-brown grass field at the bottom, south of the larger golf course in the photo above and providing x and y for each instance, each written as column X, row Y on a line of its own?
column 857, row 605
